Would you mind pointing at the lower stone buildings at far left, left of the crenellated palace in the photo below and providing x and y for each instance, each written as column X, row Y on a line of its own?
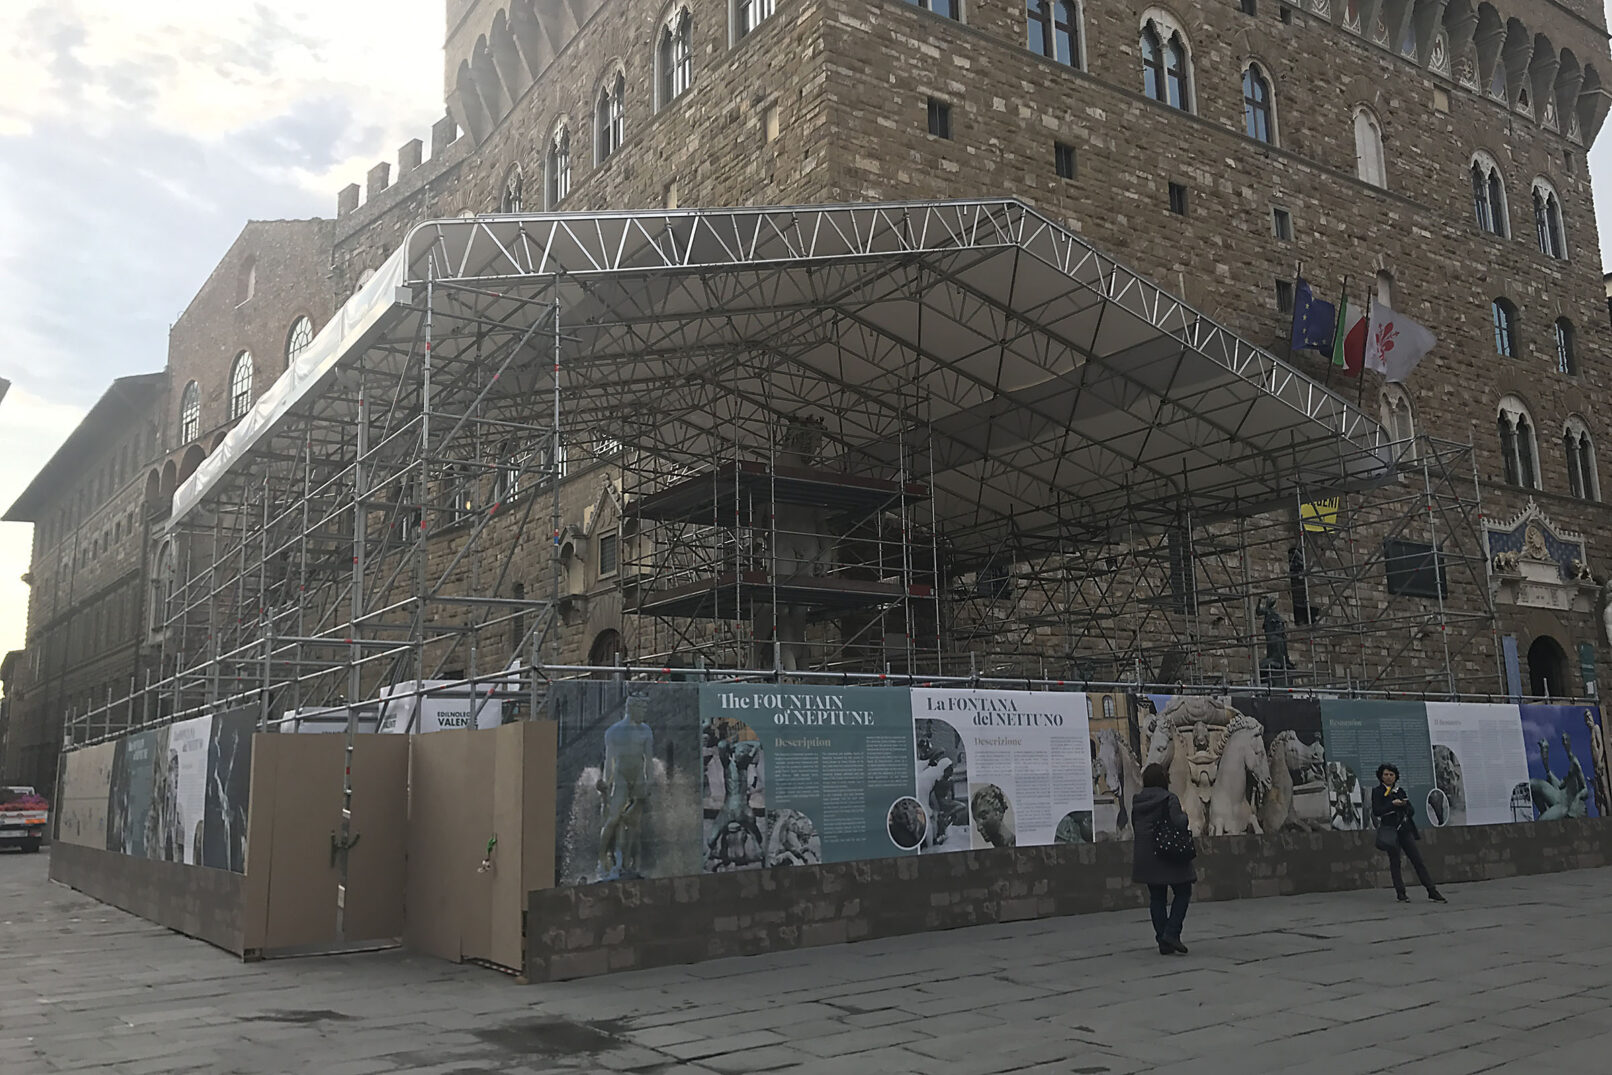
column 101, row 504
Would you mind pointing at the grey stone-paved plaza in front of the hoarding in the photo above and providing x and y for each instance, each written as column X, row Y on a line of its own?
column 1326, row 986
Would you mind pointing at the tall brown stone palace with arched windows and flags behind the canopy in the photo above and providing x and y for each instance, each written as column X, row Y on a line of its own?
column 1427, row 154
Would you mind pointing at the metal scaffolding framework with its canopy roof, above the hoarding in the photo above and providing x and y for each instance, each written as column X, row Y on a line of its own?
column 372, row 518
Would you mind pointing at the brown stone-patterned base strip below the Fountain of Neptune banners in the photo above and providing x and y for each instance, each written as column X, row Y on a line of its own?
column 631, row 926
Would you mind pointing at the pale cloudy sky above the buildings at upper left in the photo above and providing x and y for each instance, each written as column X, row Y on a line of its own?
column 136, row 139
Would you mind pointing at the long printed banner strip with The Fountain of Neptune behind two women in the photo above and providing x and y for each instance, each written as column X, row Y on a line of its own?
column 663, row 781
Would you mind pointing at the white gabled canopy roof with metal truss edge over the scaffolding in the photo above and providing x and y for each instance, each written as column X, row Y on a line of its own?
column 1053, row 389
